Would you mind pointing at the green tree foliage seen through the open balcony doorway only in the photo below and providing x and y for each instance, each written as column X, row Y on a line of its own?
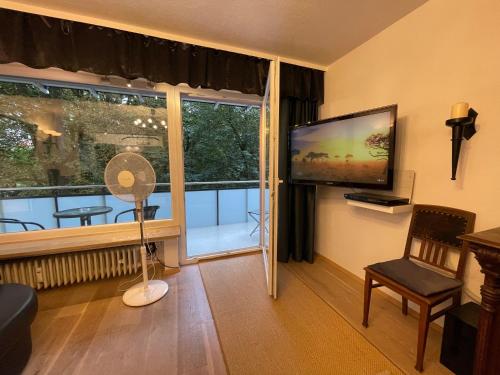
column 220, row 144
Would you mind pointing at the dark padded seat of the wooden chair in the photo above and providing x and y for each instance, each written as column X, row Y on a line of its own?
column 418, row 279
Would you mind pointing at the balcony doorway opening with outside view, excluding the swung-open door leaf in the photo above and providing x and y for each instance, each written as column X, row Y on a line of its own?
column 220, row 136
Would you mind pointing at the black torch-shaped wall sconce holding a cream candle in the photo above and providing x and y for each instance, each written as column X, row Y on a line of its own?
column 462, row 123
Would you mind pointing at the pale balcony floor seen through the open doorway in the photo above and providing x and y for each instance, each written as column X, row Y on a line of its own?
column 218, row 238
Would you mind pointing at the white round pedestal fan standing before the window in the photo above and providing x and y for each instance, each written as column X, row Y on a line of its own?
column 131, row 178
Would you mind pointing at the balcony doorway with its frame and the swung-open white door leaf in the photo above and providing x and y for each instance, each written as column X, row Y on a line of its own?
column 230, row 159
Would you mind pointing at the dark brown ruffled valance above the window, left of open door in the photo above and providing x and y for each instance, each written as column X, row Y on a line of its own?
column 43, row 42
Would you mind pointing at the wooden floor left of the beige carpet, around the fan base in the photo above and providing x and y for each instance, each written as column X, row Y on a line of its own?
column 86, row 329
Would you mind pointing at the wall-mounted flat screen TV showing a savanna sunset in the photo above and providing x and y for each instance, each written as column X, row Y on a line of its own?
column 354, row 150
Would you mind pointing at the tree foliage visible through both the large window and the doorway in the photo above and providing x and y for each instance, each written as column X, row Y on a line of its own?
column 219, row 143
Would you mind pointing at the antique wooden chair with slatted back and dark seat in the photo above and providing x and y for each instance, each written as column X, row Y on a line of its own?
column 425, row 279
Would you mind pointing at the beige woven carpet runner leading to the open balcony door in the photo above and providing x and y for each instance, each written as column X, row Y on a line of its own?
column 296, row 334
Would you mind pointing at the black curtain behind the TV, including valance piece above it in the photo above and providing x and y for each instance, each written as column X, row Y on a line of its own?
column 301, row 94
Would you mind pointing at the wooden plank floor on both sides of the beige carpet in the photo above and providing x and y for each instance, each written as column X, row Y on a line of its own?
column 86, row 329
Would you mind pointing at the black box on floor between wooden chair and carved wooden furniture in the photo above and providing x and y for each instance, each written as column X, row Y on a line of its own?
column 459, row 338
